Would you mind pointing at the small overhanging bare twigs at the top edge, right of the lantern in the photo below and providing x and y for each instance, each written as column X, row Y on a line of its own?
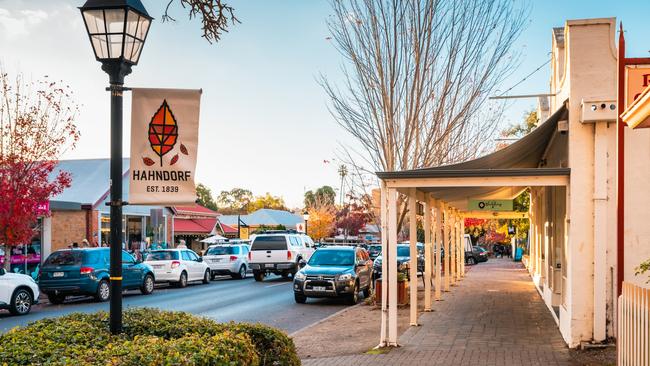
column 216, row 16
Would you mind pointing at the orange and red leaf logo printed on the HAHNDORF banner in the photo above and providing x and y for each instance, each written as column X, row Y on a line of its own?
column 163, row 132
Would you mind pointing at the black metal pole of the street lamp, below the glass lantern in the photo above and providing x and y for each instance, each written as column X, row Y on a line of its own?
column 116, row 70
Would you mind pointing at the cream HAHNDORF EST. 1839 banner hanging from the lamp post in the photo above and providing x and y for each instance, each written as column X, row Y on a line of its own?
column 164, row 144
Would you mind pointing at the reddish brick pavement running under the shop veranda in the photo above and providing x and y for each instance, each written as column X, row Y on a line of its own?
column 494, row 316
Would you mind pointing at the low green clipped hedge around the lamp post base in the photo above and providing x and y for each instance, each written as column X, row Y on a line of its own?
column 150, row 337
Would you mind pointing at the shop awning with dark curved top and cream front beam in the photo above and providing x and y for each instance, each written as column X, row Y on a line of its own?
column 503, row 174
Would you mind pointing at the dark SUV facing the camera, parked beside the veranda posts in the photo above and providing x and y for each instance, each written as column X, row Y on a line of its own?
column 333, row 272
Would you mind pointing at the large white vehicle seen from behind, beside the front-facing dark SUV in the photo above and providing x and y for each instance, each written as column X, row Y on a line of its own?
column 278, row 252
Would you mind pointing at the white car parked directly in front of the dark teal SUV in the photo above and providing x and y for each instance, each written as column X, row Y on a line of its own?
column 178, row 266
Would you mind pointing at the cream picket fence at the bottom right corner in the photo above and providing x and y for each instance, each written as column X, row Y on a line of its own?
column 634, row 326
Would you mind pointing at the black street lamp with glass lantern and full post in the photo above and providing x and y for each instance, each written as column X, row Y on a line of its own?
column 117, row 30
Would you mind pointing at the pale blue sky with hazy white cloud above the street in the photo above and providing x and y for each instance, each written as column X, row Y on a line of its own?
column 264, row 122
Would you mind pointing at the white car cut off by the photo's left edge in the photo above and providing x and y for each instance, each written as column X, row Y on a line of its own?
column 18, row 292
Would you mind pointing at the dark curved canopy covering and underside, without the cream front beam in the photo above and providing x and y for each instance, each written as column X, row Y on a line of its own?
column 524, row 157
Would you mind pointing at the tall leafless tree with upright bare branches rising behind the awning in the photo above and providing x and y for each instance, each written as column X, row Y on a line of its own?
column 417, row 77
